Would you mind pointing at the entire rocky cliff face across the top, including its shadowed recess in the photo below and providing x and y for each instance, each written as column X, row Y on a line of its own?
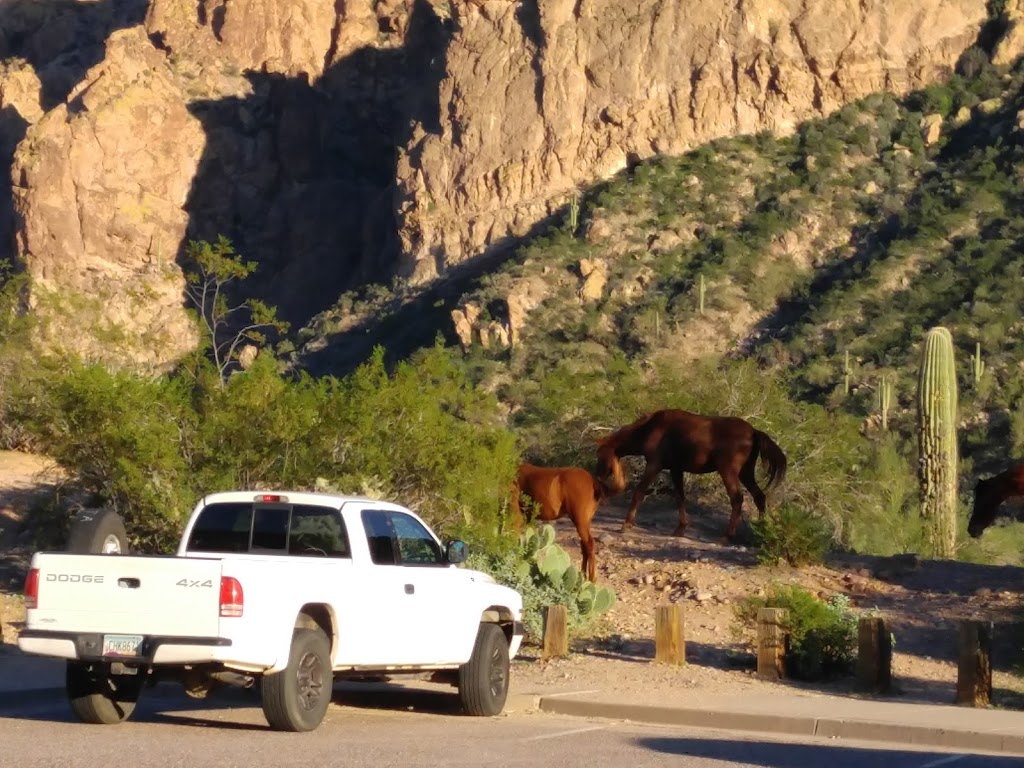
column 338, row 144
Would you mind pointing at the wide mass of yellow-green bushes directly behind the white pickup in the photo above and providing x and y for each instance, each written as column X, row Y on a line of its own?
column 151, row 447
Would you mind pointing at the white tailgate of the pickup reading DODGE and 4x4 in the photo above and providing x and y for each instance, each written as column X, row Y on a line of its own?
column 140, row 595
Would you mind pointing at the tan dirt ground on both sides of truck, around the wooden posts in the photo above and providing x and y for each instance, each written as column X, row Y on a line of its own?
column 648, row 568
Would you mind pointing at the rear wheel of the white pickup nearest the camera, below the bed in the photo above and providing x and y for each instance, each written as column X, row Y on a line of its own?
column 296, row 700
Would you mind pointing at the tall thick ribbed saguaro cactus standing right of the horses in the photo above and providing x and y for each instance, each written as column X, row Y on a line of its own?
column 938, row 470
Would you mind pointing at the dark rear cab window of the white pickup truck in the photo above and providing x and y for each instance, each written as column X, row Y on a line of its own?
column 293, row 530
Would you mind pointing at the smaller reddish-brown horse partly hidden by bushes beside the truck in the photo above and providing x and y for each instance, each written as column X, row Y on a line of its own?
column 570, row 492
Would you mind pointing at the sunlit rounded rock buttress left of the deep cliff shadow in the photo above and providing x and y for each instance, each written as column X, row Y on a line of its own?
column 113, row 165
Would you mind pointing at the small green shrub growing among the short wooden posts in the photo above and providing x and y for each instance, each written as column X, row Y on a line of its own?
column 823, row 635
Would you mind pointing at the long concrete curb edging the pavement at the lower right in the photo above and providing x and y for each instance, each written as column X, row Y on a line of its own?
column 798, row 726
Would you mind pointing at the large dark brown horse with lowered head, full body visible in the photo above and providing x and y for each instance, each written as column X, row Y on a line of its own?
column 681, row 442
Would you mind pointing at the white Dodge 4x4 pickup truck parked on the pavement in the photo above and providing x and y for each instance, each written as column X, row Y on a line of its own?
column 288, row 590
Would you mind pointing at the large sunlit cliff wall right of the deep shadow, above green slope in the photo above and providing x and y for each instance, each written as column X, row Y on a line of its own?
column 545, row 97
